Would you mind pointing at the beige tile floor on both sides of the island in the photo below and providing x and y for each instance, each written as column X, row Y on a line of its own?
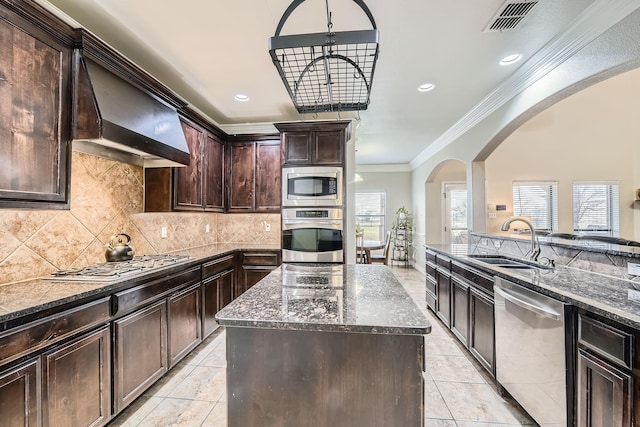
column 457, row 391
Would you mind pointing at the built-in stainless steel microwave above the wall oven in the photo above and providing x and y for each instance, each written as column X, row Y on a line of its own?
column 312, row 186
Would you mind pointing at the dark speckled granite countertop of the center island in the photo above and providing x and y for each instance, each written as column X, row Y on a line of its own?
column 369, row 299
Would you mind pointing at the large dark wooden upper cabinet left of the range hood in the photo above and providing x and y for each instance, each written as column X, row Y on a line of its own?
column 35, row 100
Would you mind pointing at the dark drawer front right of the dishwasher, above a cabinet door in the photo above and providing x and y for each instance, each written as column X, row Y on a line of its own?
column 605, row 340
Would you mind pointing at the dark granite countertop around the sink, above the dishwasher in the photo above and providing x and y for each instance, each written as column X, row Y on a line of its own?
column 612, row 298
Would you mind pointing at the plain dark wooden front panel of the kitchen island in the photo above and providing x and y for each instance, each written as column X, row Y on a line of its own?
column 292, row 378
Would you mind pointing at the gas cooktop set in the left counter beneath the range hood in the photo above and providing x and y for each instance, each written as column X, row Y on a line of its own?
column 112, row 271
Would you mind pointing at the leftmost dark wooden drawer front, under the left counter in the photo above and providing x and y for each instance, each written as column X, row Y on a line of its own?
column 38, row 334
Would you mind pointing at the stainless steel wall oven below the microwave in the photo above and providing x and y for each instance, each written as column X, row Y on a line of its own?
column 312, row 235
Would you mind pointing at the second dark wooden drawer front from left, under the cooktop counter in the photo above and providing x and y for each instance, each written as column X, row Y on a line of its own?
column 140, row 295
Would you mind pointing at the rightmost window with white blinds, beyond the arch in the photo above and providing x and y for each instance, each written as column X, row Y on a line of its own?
column 596, row 209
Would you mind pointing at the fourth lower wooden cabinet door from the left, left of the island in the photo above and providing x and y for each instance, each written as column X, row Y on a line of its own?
column 184, row 328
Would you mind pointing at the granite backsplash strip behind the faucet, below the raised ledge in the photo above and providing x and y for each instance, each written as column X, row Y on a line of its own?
column 607, row 259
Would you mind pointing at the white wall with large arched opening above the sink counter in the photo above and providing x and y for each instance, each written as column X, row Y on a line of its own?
column 615, row 51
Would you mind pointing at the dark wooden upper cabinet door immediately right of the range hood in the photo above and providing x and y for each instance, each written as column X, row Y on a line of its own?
column 188, row 179
